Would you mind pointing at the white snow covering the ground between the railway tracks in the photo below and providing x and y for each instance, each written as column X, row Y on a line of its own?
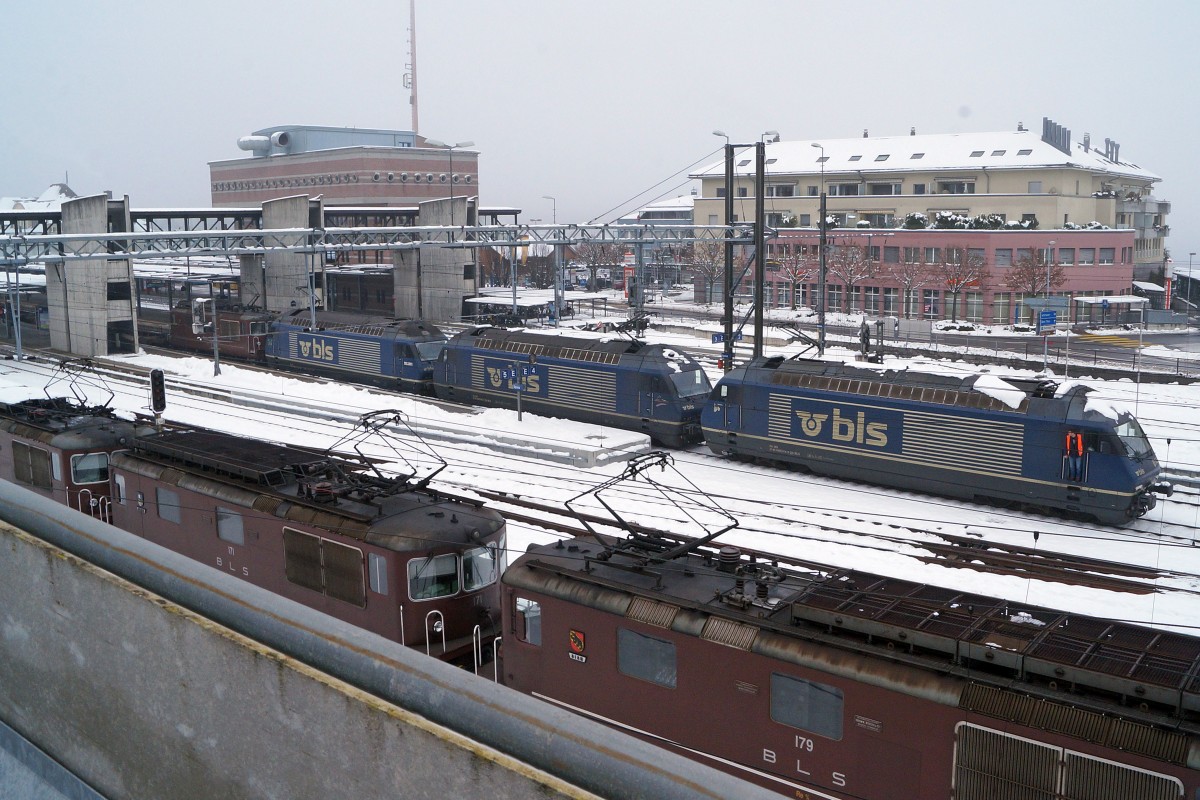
column 835, row 522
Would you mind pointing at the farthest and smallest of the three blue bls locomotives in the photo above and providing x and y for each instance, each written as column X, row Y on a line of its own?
column 386, row 352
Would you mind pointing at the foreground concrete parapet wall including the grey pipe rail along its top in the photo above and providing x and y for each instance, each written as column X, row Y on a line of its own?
column 229, row 691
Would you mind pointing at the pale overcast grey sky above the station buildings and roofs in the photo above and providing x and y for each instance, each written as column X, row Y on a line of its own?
column 590, row 103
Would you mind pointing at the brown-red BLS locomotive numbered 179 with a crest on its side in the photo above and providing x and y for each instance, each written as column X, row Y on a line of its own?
column 842, row 685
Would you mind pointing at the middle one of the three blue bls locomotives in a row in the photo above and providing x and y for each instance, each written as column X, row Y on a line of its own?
column 604, row 381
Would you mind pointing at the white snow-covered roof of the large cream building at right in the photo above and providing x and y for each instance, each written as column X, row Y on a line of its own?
column 925, row 153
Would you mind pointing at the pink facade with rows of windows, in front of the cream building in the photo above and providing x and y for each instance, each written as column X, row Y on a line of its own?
column 982, row 276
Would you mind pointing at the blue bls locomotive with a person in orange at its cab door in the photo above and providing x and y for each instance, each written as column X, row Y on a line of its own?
column 981, row 437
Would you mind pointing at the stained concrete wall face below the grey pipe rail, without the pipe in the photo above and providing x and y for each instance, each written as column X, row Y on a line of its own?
column 145, row 700
